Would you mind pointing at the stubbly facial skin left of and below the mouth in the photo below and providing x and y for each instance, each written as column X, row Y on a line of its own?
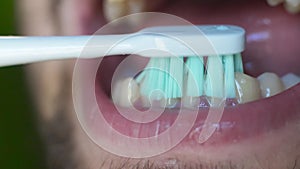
column 67, row 145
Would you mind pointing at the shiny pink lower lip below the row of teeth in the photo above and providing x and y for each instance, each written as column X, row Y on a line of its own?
column 237, row 123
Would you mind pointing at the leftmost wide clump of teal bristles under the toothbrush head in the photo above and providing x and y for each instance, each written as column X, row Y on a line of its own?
column 163, row 74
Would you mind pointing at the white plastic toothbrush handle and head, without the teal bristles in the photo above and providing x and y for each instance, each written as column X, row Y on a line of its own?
column 175, row 41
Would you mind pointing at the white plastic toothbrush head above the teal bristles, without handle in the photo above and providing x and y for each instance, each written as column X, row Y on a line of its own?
column 202, row 40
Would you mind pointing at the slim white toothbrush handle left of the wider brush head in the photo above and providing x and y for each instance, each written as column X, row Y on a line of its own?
column 16, row 50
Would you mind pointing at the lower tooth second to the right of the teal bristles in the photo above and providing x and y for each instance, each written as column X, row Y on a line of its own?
column 270, row 84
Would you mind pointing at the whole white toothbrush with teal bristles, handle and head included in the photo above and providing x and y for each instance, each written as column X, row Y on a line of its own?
column 178, row 50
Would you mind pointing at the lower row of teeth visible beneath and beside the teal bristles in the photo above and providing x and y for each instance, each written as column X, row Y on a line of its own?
column 125, row 92
